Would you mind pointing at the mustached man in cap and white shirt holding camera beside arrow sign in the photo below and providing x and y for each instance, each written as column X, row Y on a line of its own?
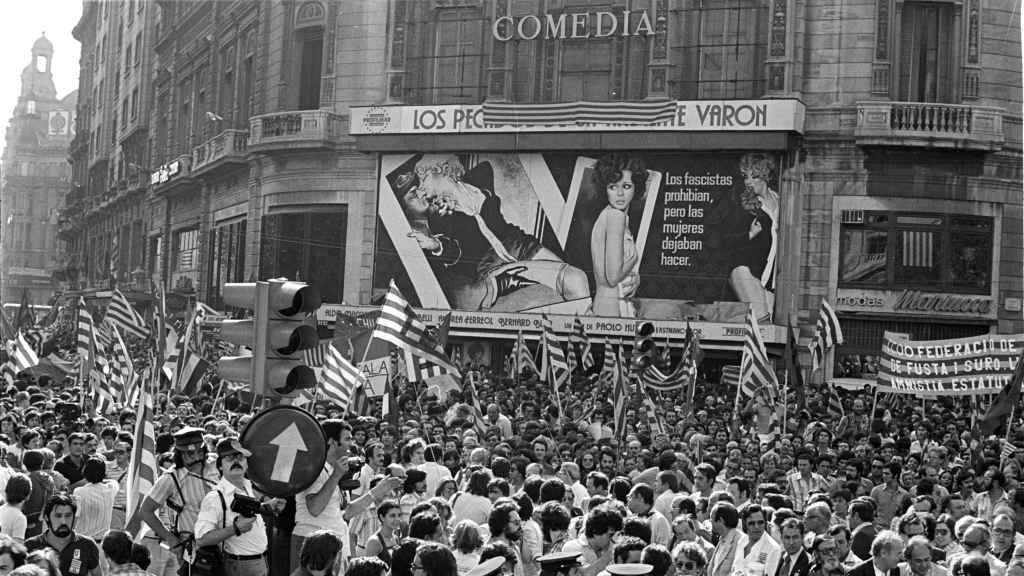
column 230, row 515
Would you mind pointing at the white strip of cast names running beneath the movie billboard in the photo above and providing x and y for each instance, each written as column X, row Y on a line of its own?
column 511, row 323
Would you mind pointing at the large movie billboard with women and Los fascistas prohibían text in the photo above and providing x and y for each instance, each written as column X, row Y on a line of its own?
column 617, row 235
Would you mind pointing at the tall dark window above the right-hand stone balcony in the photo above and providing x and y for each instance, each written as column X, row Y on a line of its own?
column 928, row 59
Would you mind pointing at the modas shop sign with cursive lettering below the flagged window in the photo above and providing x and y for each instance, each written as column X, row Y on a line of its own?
column 916, row 303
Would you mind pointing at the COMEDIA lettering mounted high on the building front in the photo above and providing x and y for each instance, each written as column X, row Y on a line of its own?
column 573, row 26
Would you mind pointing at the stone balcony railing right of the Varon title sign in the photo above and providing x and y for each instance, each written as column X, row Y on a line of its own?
column 929, row 125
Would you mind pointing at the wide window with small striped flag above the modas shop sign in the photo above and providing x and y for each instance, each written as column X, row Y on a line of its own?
column 899, row 251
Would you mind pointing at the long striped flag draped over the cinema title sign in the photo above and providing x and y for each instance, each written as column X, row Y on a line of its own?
column 639, row 113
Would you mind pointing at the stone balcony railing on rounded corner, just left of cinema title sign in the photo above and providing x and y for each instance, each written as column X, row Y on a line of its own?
column 305, row 129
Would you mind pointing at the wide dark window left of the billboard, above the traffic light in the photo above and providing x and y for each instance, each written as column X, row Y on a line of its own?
column 307, row 246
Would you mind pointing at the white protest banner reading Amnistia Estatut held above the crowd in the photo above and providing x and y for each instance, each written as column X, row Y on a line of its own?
column 958, row 367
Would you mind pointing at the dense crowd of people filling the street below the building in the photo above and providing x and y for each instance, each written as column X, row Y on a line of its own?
column 892, row 487
